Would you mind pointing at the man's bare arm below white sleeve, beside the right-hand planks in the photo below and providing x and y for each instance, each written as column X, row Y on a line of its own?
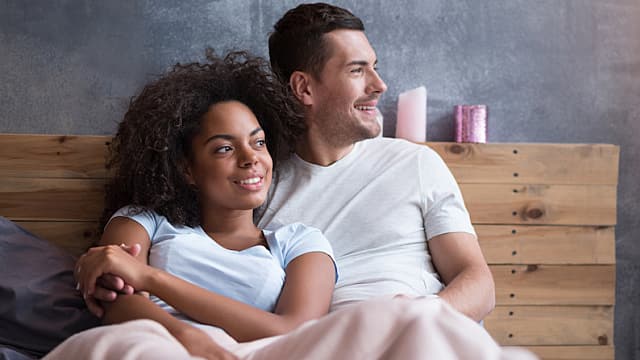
column 469, row 285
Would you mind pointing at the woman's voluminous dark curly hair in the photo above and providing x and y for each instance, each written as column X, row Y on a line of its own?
column 153, row 141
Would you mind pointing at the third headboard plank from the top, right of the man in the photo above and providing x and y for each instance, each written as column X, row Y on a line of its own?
column 537, row 244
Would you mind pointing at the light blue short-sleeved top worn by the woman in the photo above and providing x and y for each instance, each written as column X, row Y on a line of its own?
column 254, row 276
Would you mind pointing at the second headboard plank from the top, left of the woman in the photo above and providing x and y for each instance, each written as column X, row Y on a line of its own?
column 51, row 199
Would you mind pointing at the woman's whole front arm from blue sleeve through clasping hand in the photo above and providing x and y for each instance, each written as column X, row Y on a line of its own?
column 306, row 294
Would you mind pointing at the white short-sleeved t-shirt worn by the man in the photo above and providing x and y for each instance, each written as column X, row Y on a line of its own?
column 377, row 206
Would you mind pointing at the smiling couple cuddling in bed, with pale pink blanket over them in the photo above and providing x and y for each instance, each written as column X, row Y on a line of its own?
column 194, row 156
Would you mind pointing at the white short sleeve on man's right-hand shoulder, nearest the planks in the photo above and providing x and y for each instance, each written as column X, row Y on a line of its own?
column 444, row 210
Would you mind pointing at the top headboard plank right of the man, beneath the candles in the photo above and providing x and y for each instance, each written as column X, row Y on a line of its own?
column 529, row 163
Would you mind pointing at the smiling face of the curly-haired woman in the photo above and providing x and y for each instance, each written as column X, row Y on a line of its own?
column 230, row 166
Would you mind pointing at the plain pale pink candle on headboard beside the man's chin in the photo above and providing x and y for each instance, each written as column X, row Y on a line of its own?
column 412, row 115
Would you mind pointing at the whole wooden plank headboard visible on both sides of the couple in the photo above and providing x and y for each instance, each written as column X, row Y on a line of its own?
column 545, row 216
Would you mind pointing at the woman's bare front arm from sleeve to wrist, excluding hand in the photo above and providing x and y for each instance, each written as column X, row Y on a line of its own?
column 306, row 295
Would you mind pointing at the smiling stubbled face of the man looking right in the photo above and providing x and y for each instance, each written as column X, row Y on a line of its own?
column 346, row 93
